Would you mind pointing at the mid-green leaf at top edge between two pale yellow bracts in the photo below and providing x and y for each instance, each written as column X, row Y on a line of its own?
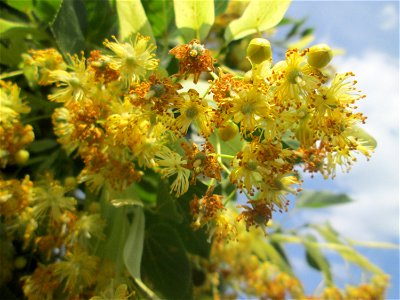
column 160, row 14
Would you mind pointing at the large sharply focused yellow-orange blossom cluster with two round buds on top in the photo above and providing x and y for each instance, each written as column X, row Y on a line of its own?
column 122, row 117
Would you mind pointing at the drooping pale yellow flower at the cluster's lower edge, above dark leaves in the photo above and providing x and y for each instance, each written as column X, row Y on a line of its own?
column 171, row 163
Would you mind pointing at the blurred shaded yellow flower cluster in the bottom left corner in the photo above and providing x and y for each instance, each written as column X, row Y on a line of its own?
column 43, row 214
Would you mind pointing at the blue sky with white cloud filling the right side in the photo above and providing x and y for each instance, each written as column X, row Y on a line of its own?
column 369, row 33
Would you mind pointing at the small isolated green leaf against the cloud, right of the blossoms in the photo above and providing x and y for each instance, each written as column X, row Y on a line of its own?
column 318, row 199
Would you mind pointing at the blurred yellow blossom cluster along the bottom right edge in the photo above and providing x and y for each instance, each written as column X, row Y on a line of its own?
column 240, row 267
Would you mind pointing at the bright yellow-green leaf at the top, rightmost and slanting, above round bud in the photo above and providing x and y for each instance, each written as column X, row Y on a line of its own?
column 258, row 16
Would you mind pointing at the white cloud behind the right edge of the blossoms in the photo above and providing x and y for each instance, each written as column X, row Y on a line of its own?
column 374, row 184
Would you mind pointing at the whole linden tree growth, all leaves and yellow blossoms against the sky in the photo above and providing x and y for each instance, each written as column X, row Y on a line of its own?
column 120, row 178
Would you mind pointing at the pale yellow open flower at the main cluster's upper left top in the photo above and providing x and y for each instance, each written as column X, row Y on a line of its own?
column 132, row 60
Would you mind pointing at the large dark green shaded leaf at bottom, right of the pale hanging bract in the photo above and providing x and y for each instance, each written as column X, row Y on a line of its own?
column 165, row 263
